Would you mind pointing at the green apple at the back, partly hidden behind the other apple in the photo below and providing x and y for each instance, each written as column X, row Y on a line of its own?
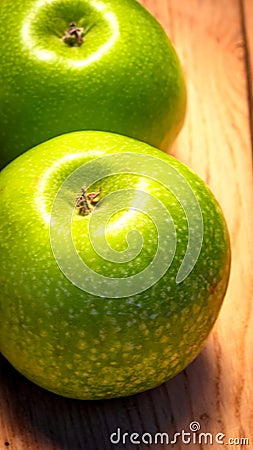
column 69, row 65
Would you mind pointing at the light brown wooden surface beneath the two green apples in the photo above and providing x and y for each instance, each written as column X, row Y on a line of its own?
column 215, row 41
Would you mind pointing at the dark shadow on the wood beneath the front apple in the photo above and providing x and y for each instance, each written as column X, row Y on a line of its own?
column 42, row 419
